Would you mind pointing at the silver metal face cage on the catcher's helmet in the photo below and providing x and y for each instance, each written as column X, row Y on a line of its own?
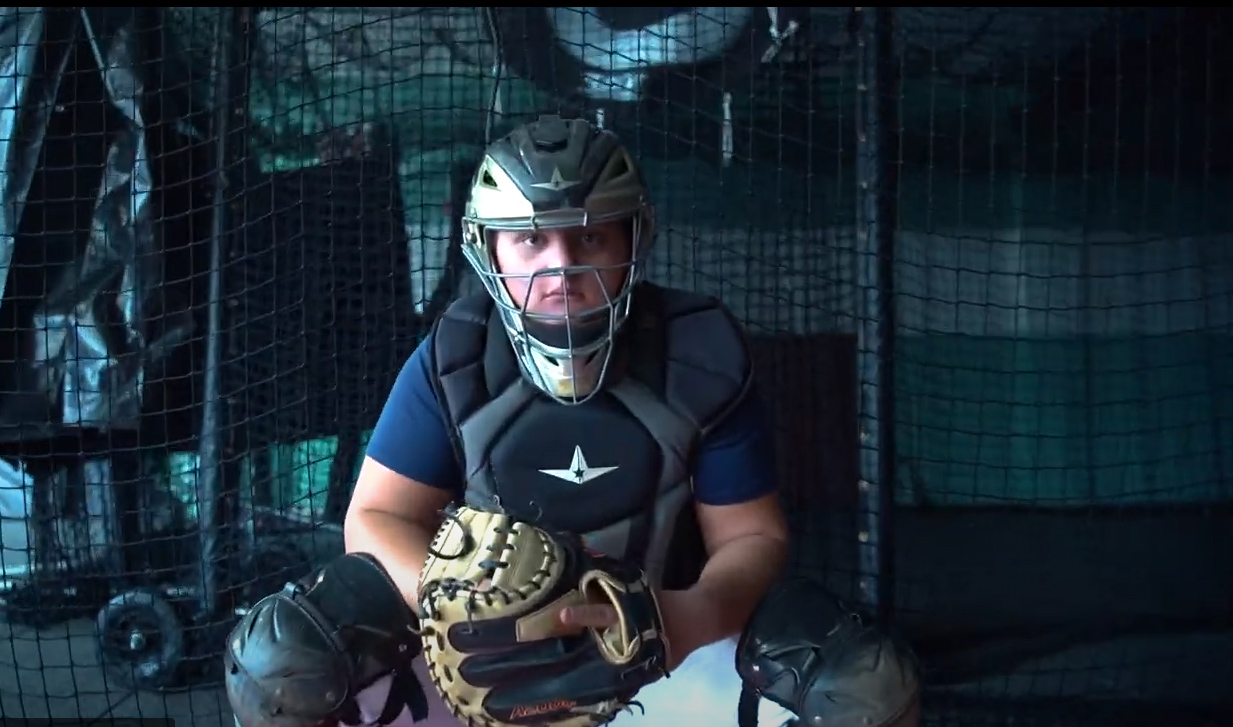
column 571, row 365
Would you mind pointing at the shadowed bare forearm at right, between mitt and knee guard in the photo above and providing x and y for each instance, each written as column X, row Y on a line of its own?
column 734, row 581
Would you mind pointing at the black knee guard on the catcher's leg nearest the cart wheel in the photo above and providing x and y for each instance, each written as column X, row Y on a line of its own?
column 304, row 656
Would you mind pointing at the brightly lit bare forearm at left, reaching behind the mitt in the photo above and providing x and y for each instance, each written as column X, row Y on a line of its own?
column 399, row 544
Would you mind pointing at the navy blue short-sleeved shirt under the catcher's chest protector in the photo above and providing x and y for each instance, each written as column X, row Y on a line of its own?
column 735, row 464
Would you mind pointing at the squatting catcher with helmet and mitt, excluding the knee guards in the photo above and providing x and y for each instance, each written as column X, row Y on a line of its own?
column 574, row 396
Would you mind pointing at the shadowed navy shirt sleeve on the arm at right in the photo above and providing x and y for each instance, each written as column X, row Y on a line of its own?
column 737, row 463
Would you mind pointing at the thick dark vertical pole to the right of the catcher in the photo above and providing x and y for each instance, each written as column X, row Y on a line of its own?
column 875, row 250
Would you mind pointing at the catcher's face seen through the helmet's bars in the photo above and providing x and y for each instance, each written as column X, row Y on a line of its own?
column 522, row 253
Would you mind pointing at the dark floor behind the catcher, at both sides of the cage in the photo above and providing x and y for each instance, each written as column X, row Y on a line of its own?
column 960, row 575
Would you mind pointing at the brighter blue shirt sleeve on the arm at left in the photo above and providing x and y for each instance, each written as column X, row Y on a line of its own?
column 411, row 437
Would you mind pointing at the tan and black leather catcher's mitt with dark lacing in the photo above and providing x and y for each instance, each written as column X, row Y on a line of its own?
column 490, row 598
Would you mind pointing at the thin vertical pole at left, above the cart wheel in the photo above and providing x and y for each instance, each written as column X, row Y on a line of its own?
column 218, row 493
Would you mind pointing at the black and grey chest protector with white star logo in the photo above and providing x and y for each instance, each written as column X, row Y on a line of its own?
column 617, row 469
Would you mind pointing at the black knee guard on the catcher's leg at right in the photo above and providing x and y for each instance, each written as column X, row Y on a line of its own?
column 809, row 654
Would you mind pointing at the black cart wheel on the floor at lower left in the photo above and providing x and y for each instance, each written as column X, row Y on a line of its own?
column 141, row 640
